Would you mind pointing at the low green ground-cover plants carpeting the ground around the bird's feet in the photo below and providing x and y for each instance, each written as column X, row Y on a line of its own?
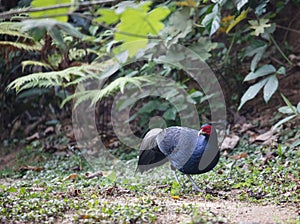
column 61, row 190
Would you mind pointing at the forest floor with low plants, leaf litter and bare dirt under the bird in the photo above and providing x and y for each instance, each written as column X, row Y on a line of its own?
column 256, row 181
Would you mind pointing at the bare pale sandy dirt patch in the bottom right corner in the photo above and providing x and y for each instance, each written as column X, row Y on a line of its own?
column 236, row 212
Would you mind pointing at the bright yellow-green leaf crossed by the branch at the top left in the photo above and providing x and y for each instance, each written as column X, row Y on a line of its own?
column 51, row 12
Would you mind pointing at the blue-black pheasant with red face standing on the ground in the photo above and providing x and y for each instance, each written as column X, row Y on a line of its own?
column 190, row 151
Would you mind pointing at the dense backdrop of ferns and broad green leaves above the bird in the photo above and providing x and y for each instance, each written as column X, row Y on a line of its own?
column 100, row 42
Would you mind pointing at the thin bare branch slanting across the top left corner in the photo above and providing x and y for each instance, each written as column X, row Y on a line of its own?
column 7, row 15
